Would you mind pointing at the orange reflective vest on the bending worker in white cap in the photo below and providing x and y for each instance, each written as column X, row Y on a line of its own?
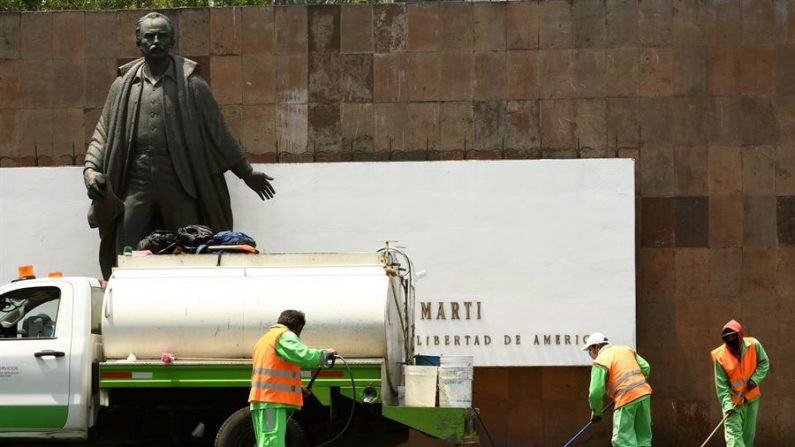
column 625, row 381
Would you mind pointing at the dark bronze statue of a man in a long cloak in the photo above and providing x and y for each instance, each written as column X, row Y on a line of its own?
column 160, row 149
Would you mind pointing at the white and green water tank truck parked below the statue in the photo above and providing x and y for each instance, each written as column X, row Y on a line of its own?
column 161, row 353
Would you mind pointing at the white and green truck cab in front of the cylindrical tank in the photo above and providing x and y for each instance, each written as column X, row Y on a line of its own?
column 49, row 345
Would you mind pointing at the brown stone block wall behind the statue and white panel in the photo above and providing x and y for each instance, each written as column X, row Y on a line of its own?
column 701, row 93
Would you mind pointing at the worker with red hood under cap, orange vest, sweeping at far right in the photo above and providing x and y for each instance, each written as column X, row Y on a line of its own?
column 740, row 365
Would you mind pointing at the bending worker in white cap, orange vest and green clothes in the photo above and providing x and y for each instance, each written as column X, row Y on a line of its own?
column 622, row 374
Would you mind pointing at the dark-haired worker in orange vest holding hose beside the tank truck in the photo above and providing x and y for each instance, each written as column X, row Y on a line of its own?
column 276, row 389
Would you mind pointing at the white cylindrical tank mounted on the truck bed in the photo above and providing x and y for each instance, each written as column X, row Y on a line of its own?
column 191, row 308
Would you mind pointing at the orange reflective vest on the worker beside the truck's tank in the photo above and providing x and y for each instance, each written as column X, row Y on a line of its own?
column 274, row 379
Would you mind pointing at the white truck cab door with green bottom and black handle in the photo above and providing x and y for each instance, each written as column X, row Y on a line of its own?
column 35, row 342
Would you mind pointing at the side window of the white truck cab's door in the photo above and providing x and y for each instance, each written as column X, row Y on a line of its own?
column 29, row 312
